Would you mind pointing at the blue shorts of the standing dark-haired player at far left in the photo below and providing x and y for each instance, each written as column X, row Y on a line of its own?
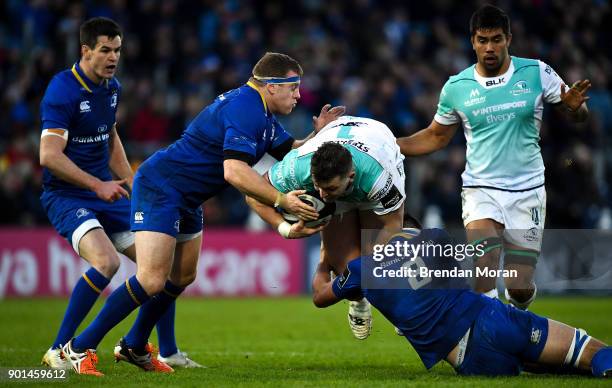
column 73, row 215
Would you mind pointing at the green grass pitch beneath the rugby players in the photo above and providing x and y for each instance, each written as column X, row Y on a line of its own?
column 278, row 343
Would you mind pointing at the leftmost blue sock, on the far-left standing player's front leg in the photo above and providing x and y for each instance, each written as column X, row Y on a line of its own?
column 84, row 296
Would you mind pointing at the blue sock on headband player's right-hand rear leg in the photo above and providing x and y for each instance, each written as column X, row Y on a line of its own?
column 148, row 316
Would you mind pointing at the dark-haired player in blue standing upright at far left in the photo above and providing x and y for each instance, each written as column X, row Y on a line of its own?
column 85, row 177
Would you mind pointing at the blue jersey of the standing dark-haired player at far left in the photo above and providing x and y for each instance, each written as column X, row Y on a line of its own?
column 87, row 111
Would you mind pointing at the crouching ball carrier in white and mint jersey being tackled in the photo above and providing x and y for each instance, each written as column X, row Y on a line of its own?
column 356, row 163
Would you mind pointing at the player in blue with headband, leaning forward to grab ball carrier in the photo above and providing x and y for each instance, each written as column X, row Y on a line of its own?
column 217, row 149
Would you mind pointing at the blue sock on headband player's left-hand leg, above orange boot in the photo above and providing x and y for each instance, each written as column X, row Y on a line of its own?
column 118, row 306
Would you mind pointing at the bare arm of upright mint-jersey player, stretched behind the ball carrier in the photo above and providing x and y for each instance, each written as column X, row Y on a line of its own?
column 436, row 136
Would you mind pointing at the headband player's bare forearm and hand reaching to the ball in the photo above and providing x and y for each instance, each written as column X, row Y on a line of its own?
column 240, row 175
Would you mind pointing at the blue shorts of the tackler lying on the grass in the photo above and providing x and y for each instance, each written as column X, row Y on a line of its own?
column 501, row 339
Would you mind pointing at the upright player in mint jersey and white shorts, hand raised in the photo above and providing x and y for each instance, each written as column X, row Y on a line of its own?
column 499, row 102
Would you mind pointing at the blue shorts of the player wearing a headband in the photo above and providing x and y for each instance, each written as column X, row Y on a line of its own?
column 161, row 209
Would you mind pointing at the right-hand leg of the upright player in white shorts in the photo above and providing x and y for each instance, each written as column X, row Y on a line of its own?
column 524, row 215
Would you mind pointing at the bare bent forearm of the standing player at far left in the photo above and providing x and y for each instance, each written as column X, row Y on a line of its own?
column 52, row 145
